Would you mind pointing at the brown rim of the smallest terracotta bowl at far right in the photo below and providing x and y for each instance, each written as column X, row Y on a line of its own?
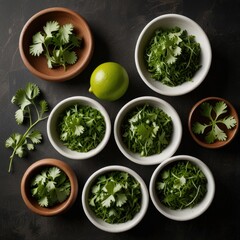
column 216, row 144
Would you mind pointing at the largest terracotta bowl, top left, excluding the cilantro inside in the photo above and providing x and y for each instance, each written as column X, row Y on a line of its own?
column 38, row 65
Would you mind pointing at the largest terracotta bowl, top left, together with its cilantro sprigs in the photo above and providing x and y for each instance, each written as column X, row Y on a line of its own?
column 56, row 44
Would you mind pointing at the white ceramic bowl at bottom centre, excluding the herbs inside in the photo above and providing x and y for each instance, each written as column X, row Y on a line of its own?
column 99, row 223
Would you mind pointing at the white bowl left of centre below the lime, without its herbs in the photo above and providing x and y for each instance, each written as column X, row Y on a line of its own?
column 54, row 136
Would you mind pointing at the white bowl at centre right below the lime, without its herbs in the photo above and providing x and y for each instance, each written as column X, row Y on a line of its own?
column 176, row 135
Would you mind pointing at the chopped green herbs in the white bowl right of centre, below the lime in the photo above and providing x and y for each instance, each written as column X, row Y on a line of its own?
column 147, row 130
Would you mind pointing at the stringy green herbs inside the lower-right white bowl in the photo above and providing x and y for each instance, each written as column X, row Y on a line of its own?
column 181, row 185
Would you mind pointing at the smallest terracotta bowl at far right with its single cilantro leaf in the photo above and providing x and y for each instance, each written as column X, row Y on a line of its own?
column 213, row 122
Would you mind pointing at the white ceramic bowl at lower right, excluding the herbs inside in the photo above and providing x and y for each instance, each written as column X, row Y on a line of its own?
column 187, row 213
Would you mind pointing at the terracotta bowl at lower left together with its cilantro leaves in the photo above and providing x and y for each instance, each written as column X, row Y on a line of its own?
column 49, row 187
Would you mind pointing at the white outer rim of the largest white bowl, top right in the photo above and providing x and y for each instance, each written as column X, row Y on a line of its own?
column 187, row 86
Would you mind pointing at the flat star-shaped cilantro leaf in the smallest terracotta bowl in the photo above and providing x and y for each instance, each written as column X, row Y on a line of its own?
column 214, row 119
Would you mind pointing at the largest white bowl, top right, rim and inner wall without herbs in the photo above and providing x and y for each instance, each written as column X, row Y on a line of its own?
column 169, row 21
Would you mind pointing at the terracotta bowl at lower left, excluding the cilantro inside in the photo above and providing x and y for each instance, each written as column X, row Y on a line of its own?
column 36, row 168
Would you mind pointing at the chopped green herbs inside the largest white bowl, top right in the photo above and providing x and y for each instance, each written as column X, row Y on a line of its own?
column 172, row 56
